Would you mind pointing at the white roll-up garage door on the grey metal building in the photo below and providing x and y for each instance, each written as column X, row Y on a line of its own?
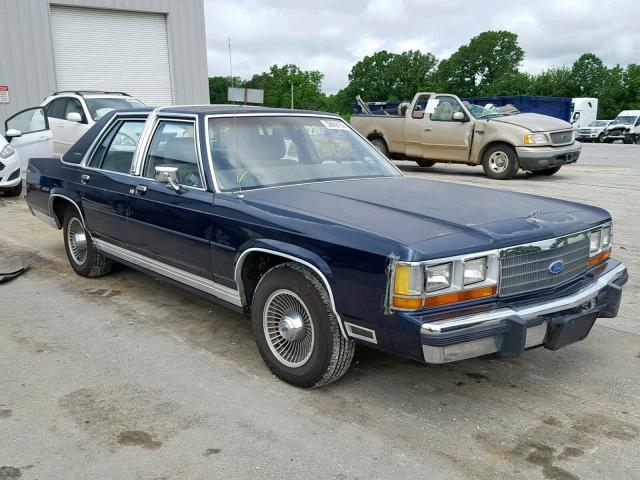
column 112, row 50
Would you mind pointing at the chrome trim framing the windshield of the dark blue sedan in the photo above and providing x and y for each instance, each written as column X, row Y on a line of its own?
column 209, row 117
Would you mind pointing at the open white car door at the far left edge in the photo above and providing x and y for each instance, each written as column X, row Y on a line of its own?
column 36, row 140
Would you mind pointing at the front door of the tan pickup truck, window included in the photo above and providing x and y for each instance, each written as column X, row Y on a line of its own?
column 444, row 138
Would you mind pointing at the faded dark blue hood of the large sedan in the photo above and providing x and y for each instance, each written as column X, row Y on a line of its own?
column 428, row 218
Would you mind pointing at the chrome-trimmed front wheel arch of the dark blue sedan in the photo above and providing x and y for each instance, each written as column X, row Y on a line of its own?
column 253, row 262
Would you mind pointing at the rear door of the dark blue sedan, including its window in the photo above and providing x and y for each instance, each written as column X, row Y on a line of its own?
column 106, row 184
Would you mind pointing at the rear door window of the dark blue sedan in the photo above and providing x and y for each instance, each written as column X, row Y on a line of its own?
column 115, row 152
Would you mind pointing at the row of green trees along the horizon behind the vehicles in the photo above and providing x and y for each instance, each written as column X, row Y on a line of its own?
column 487, row 65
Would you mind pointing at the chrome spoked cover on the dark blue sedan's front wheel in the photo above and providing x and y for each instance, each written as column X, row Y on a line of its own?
column 288, row 328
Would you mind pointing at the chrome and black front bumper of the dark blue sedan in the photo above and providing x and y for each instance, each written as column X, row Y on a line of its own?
column 509, row 330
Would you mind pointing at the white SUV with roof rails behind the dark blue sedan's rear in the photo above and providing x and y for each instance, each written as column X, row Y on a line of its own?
column 71, row 114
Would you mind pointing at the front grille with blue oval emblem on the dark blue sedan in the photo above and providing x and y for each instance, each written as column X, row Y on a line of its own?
column 526, row 268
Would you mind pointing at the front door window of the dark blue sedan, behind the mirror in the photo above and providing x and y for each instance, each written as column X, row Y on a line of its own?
column 173, row 145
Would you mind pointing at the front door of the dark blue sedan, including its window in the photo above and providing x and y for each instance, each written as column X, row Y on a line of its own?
column 169, row 226
